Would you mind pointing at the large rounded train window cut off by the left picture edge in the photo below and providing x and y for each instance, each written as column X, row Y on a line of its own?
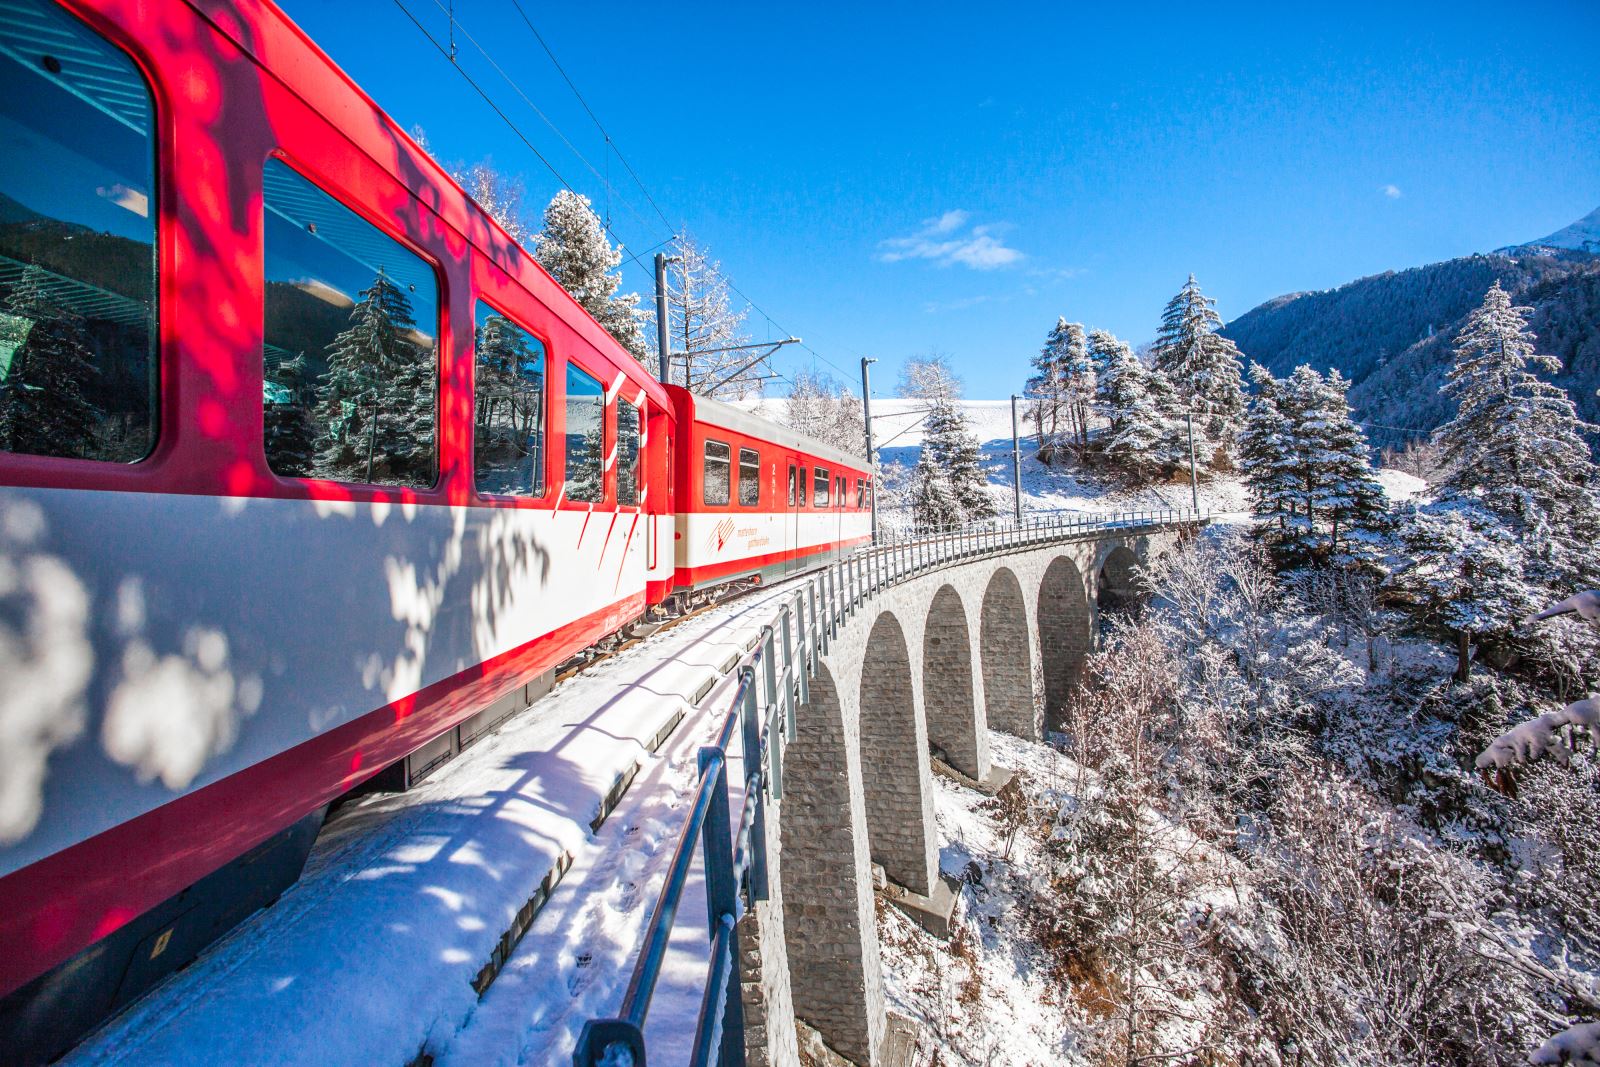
column 78, row 242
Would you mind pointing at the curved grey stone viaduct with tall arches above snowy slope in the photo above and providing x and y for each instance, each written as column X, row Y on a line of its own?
column 927, row 666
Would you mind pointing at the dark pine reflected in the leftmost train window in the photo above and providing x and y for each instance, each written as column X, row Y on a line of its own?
column 44, row 409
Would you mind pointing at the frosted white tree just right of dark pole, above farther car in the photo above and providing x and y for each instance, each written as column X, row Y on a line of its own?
column 708, row 329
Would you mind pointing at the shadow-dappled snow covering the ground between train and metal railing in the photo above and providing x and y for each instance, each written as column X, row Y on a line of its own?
column 370, row 957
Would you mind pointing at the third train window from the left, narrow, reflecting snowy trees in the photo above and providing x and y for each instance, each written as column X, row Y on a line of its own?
column 508, row 401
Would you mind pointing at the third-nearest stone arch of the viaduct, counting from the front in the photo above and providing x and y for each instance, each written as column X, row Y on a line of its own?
column 956, row 717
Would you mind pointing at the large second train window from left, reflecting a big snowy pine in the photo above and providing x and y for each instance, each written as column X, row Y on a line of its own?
column 350, row 354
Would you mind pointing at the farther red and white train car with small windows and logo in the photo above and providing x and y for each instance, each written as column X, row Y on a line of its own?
column 759, row 502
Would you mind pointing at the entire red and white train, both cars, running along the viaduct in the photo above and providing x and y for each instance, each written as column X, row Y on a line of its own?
column 308, row 473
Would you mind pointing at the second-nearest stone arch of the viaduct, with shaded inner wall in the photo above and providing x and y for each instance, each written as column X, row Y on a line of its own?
column 895, row 770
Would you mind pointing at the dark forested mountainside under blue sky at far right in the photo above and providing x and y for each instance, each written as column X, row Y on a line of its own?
column 1393, row 334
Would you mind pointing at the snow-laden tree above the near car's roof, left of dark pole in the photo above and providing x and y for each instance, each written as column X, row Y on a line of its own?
column 577, row 254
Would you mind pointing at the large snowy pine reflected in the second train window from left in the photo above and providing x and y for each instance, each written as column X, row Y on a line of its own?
column 375, row 406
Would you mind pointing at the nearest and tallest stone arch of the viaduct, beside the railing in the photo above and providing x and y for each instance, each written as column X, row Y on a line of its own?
column 830, row 913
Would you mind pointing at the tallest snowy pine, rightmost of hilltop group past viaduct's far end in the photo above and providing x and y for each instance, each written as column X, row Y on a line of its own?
column 1202, row 366
